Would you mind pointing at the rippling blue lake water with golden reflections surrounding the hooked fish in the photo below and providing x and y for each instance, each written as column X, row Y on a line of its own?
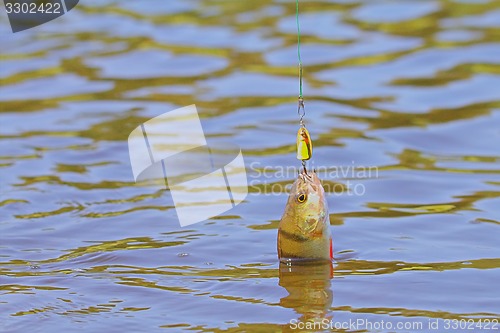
column 403, row 105
